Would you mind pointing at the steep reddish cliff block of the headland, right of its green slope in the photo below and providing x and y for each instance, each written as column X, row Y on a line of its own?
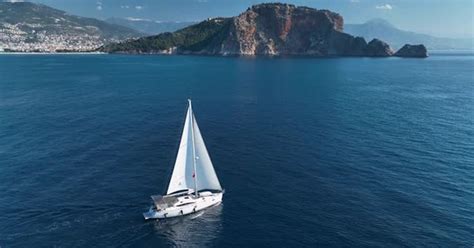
column 284, row 29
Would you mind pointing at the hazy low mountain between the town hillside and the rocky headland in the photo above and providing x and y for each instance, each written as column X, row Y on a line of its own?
column 148, row 26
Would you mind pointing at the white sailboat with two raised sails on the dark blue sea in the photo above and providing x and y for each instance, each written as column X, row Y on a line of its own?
column 194, row 185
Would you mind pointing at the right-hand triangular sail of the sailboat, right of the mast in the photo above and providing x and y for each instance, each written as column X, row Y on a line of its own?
column 206, row 175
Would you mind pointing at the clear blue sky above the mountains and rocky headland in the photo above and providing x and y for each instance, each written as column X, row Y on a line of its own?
column 443, row 18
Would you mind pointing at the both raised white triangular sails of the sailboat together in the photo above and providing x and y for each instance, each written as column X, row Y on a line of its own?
column 190, row 172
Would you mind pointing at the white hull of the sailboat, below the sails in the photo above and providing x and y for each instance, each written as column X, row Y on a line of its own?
column 187, row 204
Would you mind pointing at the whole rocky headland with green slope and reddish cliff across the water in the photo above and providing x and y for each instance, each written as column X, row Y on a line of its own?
column 264, row 29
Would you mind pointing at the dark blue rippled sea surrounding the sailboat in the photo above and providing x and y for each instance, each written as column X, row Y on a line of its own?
column 348, row 152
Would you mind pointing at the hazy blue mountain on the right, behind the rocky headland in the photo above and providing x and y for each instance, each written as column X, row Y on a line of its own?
column 382, row 29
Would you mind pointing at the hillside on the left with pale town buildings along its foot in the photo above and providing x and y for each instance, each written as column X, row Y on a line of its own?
column 26, row 26
